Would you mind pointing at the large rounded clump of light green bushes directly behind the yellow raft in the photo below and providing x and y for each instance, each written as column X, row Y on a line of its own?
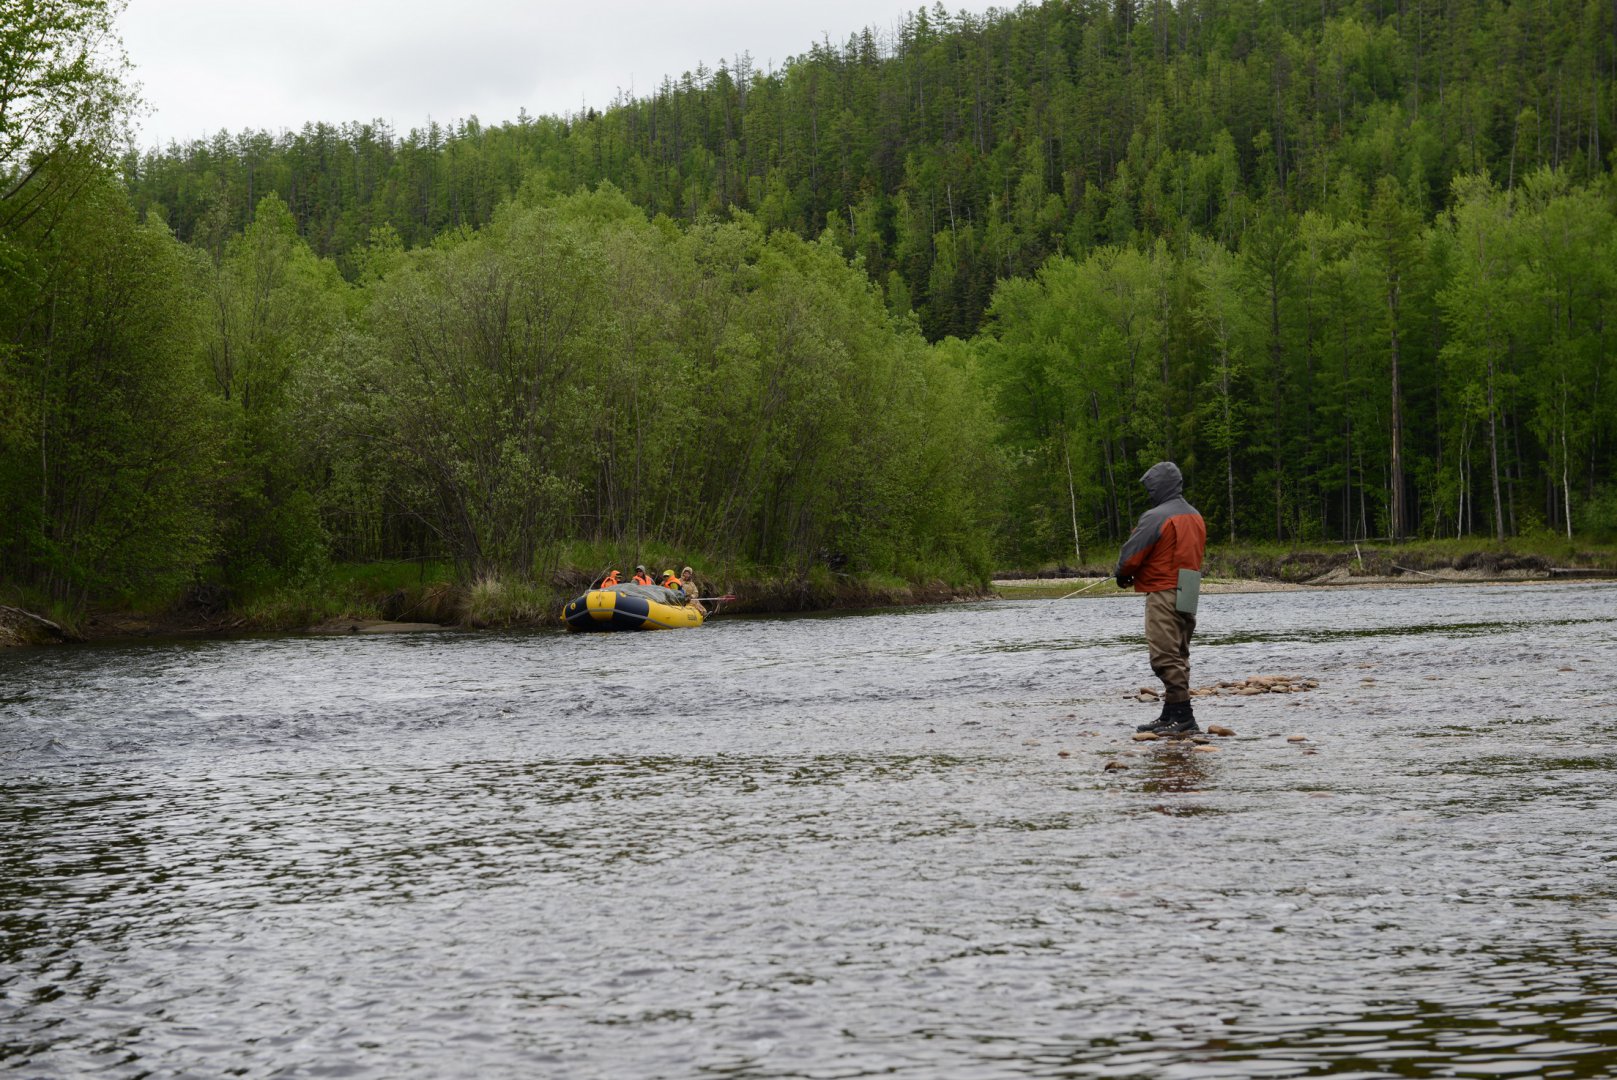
column 576, row 373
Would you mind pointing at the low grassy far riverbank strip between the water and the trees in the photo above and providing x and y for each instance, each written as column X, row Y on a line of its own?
column 408, row 597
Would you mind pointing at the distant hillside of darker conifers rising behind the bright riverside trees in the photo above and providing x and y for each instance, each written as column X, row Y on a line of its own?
column 956, row 151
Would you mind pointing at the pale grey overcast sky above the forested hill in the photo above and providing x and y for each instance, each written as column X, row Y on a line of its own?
column 208, row 65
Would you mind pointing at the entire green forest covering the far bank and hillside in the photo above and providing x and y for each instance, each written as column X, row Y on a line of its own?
column 919, row 305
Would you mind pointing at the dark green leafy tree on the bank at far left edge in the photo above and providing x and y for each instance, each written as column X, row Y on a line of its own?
column 109, row 457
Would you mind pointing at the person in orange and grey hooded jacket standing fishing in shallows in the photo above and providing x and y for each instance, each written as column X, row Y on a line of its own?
column 1168, row 539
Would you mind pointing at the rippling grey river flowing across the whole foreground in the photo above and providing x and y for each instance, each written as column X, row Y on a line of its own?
column 835, row 846
